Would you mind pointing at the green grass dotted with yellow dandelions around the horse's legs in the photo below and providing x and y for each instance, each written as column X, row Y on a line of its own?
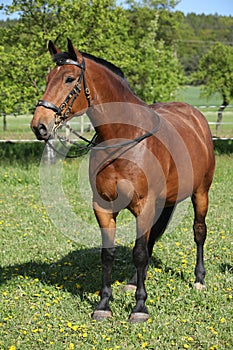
column 49, row 283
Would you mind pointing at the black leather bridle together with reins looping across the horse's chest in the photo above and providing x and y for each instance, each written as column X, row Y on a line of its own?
column 63, row 111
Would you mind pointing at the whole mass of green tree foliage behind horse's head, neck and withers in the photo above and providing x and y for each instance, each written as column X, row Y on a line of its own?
column 122, row 36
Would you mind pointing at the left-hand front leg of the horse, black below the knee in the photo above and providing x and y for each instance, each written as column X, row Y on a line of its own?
column 107, row 223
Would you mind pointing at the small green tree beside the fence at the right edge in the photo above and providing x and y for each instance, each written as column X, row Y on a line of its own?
column 216, row 71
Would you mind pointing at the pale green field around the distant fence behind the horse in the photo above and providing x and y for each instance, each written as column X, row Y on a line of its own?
column 18, row 128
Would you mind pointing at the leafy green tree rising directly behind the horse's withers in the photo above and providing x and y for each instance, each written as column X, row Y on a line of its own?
column 157, row 72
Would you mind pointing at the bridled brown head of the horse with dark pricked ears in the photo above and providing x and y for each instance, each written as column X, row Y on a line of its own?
column 66, row 92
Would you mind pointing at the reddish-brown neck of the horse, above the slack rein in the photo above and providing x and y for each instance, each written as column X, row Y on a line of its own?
column 114, row 104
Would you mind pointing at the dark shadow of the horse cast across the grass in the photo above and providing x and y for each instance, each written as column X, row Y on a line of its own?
column 78, row 272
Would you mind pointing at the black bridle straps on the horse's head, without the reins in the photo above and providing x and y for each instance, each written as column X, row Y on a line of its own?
column 63, row 111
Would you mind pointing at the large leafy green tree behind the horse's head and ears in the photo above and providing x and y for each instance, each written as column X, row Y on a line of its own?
column 97, row 27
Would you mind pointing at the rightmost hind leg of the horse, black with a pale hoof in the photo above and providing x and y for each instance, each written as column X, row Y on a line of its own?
column 200, row 205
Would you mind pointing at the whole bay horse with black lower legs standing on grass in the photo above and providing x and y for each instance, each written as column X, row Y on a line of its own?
column 145, row 158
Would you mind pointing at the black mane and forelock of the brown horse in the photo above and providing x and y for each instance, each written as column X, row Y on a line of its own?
column 101, row 61
